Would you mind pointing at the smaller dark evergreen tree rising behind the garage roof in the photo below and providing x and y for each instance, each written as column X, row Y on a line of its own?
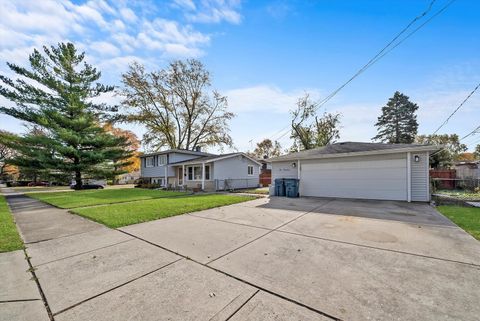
column 398, row 122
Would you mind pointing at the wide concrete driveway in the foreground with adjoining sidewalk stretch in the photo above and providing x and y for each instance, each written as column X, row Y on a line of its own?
column 268, row 259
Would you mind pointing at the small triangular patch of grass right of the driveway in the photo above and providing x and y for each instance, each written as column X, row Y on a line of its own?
column 468, row 218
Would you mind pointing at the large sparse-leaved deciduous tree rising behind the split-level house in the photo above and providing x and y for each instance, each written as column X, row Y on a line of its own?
column 177, row 106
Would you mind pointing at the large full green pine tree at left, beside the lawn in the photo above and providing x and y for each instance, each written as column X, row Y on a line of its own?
column 56, row 97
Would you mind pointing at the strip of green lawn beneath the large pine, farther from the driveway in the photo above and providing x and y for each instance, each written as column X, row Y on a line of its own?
column 100, row 197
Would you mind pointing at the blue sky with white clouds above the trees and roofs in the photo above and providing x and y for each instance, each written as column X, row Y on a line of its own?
column 265, row 54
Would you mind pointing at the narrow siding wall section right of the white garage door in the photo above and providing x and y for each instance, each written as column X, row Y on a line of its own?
column 420, row 178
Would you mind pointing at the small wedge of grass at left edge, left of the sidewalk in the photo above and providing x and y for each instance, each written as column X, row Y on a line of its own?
column 9, row 238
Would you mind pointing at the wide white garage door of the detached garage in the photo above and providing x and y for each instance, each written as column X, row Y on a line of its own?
column 356, row 177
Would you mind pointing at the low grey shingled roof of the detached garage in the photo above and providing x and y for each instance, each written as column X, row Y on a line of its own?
column 354, row 149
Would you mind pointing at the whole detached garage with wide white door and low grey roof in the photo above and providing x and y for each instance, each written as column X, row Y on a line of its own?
column 359, row 170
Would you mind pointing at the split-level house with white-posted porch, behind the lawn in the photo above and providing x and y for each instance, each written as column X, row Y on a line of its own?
column 196, row 169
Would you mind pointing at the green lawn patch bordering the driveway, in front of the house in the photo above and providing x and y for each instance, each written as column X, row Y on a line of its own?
column 117, row 215
